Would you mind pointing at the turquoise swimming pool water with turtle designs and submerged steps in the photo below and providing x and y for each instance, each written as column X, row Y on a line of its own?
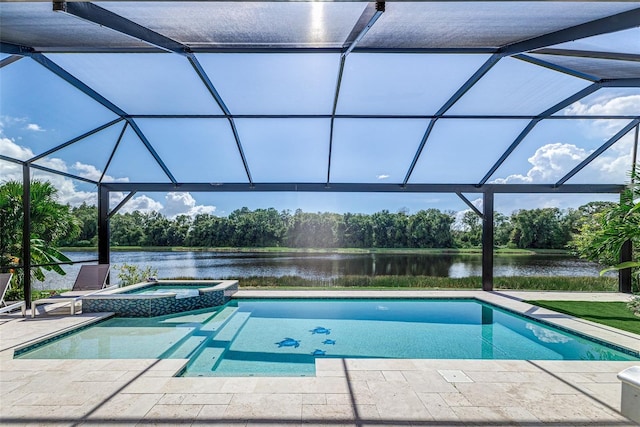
column 284, row 337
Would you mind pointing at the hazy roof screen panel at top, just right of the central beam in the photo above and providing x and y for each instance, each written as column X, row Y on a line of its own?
column 478, row 24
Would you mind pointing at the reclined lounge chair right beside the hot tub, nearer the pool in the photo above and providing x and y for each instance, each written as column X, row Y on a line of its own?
column 91, row 279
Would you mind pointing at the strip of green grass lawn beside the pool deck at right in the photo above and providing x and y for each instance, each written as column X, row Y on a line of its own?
column 614, row 314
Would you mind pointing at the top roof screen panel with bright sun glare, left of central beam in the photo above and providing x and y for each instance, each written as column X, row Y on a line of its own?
column 235, row 24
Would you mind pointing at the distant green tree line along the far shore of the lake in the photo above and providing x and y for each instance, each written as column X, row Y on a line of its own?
column 545, row 228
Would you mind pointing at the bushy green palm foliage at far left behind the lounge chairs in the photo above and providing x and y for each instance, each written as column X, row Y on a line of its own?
column 51, row 222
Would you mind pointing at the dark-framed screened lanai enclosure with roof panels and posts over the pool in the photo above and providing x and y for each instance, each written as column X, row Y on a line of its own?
column 469, row 98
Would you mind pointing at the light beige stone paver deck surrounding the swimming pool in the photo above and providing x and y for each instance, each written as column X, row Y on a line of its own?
column 362, row 392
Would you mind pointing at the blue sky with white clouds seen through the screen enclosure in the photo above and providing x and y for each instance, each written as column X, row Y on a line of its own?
column 39, row 111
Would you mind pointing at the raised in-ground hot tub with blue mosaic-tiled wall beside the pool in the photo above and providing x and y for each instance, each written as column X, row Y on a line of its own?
column 161, row 297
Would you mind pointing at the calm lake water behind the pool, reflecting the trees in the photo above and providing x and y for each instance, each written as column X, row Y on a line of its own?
column 218, row 265
